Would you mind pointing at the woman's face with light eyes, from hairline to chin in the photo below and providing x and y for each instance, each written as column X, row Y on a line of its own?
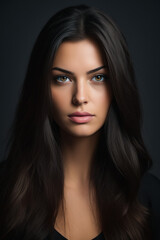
column 80, row 84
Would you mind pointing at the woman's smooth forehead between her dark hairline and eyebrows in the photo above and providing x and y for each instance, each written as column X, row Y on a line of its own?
column 83, row 54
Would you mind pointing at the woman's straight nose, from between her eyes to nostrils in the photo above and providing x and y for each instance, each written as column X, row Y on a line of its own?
column 80, row 93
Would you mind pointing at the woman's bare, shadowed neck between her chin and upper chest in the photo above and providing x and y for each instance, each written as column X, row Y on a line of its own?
column 78, row 153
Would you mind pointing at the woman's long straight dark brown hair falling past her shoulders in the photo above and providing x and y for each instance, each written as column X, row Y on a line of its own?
column 33, row 180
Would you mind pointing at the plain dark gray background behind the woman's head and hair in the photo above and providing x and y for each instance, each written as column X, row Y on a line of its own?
column 21, row 22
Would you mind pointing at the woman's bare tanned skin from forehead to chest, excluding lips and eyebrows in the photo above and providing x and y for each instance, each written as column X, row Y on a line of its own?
column 71, row 93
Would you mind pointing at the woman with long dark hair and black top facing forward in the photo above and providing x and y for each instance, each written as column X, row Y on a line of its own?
column 76, row 154
